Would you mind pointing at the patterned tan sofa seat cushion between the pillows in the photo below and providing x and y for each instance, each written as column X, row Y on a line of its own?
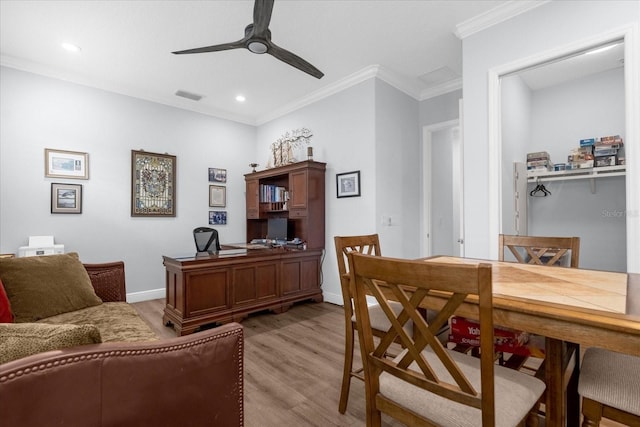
column 117, row 321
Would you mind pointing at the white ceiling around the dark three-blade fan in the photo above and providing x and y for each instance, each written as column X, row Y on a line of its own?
column 126, row 47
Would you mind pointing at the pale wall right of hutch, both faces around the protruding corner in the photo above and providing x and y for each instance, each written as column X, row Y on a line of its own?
column 372, row 128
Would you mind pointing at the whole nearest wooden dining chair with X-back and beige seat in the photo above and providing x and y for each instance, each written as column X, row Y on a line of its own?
column 427, row 384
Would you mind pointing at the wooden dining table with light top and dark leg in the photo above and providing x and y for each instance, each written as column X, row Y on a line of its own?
column 569, row 307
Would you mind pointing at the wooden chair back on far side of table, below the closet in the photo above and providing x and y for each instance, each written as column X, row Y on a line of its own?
column 540, row 250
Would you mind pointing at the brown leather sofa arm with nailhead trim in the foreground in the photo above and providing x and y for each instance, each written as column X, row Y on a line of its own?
column 194, row 380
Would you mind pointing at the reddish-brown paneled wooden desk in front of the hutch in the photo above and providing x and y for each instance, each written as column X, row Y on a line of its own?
column 229, row 285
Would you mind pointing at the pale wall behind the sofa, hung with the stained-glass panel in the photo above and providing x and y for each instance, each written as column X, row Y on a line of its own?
column 38, row 112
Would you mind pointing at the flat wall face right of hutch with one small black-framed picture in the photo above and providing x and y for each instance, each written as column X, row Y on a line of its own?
column 344, row 138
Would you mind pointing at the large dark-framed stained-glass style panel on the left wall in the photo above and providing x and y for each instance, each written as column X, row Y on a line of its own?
column 153, row 184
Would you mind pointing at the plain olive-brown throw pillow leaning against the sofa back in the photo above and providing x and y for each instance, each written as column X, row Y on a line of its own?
column 43, row 286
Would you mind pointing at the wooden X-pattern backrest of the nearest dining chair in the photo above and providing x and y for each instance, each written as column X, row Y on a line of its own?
column 424, row 357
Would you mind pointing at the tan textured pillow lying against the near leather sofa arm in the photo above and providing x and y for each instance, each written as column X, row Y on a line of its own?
column 18, row 340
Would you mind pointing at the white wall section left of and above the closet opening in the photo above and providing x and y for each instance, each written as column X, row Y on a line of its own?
column 540, row 30
